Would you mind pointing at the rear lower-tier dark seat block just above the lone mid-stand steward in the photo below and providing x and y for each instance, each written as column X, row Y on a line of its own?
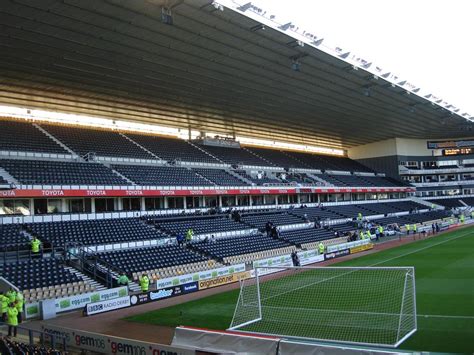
column 199, row 225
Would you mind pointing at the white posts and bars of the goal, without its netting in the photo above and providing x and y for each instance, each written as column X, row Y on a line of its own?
column 409, row 269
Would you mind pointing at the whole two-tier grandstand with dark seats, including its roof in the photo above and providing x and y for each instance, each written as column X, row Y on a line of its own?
column 197, row 138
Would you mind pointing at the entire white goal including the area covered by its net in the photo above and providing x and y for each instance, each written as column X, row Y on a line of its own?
column 358, row 305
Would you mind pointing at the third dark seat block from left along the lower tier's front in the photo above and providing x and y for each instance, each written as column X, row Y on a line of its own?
column 225, row 247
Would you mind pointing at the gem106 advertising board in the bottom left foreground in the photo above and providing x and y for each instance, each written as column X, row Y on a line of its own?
column 105, row 344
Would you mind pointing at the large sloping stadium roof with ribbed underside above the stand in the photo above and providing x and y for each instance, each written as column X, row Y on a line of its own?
column 214, row 69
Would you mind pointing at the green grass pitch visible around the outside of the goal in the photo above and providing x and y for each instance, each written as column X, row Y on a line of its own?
column 444, row 268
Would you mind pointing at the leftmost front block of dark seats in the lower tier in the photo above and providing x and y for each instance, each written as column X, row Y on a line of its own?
column 36, row 273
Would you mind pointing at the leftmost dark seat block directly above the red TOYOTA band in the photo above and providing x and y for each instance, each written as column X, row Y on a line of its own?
column 42, row 172
